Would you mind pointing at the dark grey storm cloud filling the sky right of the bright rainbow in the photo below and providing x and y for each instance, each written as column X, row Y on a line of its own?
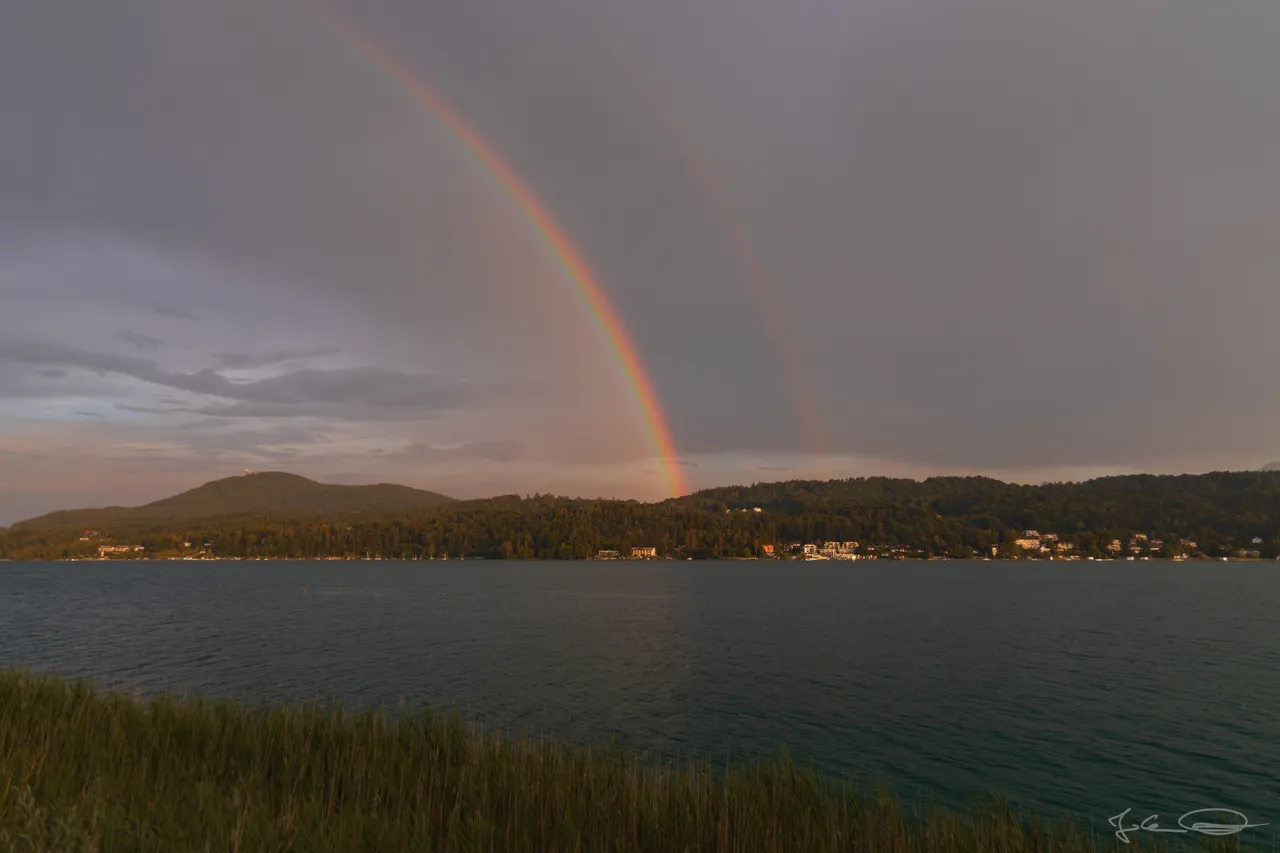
column 986, row 221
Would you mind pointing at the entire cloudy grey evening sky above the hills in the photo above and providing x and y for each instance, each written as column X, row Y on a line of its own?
column 1009, row 238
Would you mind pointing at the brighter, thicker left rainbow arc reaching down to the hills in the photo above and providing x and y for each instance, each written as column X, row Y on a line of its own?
column 569, row 258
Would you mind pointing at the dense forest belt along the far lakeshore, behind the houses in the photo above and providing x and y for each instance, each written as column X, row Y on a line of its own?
column 1226, row 514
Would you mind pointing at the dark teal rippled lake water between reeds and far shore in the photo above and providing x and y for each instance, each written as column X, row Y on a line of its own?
column 1076, row 690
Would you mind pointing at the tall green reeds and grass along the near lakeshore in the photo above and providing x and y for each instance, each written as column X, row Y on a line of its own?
column 84, row 770
